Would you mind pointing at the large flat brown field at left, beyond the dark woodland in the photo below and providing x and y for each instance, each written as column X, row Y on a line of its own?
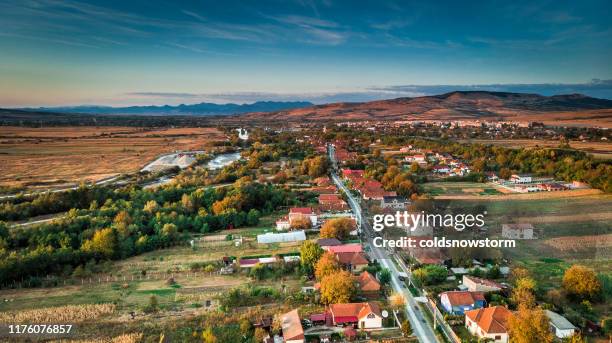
column 54, row 156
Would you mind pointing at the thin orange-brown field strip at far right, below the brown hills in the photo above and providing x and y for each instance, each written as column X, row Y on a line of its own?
column 601, row 150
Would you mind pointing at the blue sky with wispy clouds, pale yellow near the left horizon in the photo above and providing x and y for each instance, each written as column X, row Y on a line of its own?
column 117, row 53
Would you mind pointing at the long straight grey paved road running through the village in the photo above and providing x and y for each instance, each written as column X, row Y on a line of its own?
column 419, row 325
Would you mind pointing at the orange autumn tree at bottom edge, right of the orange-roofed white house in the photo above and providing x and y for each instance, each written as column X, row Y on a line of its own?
column 529, row 326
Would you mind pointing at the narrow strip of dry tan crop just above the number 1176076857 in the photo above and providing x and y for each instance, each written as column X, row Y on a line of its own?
column 62, row 314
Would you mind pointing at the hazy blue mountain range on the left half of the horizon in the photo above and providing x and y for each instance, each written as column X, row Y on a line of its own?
column 200, row 109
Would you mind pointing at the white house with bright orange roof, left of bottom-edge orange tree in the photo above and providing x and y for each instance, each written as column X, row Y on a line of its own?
column 489, row 323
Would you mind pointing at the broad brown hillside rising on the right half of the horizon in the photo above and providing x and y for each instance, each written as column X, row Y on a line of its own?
column 566, row 109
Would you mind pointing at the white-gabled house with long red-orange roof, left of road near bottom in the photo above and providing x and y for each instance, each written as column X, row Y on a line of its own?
column 363, row 315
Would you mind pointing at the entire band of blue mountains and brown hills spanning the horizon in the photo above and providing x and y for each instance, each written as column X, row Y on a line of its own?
column 570, row 109
